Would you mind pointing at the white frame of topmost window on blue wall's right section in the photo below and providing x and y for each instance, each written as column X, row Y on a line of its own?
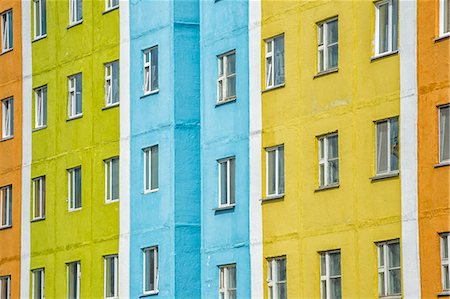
column 223, row 76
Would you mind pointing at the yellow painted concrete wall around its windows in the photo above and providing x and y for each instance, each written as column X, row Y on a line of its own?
column 361, row 211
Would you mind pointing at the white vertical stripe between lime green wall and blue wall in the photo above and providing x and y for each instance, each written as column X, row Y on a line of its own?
column 124, row 239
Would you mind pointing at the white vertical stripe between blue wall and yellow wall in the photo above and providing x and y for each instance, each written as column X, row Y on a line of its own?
column 254, row 40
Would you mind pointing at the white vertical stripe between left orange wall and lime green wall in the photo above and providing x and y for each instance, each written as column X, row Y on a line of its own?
column 26, row 150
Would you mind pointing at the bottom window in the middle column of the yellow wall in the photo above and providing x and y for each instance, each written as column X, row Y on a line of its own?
column 330, row 275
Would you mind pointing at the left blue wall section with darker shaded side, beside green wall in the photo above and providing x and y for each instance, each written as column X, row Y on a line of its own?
column 170, row 217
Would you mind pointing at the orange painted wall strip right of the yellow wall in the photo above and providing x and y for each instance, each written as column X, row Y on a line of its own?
column 433, row 63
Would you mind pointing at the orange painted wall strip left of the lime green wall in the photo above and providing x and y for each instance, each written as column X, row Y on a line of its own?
column 11, row 150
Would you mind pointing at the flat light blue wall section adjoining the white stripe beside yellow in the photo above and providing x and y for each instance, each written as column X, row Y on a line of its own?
column 224, row 133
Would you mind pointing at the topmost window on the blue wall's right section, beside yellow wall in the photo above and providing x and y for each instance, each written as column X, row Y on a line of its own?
column 226, row 82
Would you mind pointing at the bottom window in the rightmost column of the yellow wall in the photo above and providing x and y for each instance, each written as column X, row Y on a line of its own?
column 389, row 281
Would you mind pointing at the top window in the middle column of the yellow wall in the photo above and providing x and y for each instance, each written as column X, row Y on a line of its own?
column 327, row 44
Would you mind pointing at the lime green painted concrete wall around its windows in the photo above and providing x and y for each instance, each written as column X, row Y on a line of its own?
column 92, row 232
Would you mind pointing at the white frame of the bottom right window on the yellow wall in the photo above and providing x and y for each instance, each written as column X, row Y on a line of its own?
column 385, row 268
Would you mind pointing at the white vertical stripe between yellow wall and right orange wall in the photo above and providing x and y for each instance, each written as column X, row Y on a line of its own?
column 408, row 134
